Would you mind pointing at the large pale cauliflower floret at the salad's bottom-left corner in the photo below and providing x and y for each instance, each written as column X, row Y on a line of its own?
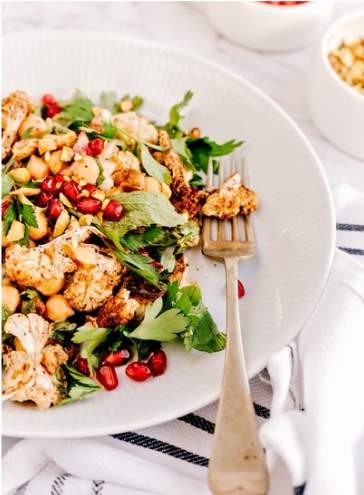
column 30, row 374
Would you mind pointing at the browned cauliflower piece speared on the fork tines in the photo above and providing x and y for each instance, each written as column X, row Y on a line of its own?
column 229, row 199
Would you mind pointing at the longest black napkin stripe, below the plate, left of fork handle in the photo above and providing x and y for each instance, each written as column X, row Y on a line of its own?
column 163, row 447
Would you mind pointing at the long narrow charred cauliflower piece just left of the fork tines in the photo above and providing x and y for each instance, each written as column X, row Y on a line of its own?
column 183, row 197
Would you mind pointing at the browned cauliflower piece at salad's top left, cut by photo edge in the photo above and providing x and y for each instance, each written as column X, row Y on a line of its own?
column 14, row 109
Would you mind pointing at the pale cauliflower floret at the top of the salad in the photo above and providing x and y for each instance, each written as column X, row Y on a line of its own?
column 136, row 125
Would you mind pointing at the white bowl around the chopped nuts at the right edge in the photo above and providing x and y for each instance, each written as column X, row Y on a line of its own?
column 337, row 109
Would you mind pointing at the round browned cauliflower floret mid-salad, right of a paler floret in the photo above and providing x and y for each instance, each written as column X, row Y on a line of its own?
column 90, row 288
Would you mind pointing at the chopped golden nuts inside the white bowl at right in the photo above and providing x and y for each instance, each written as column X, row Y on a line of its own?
column 348, row 62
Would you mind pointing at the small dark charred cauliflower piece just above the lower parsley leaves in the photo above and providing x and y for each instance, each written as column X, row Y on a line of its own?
column 117, row 310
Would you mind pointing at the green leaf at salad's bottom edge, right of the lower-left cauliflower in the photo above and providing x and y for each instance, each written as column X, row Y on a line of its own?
column 77, row 385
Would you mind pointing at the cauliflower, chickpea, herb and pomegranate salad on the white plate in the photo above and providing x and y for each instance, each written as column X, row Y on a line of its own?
column 99, row 206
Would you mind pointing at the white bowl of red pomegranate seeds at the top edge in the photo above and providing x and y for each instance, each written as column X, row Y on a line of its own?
column 261, row 26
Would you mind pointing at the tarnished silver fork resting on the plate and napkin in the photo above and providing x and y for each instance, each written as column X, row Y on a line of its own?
column 237, row 462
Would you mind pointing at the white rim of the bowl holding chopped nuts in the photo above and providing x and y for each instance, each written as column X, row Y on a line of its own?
column 324, row 52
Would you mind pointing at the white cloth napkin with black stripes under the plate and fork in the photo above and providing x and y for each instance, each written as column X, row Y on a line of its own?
column 314, row 437
